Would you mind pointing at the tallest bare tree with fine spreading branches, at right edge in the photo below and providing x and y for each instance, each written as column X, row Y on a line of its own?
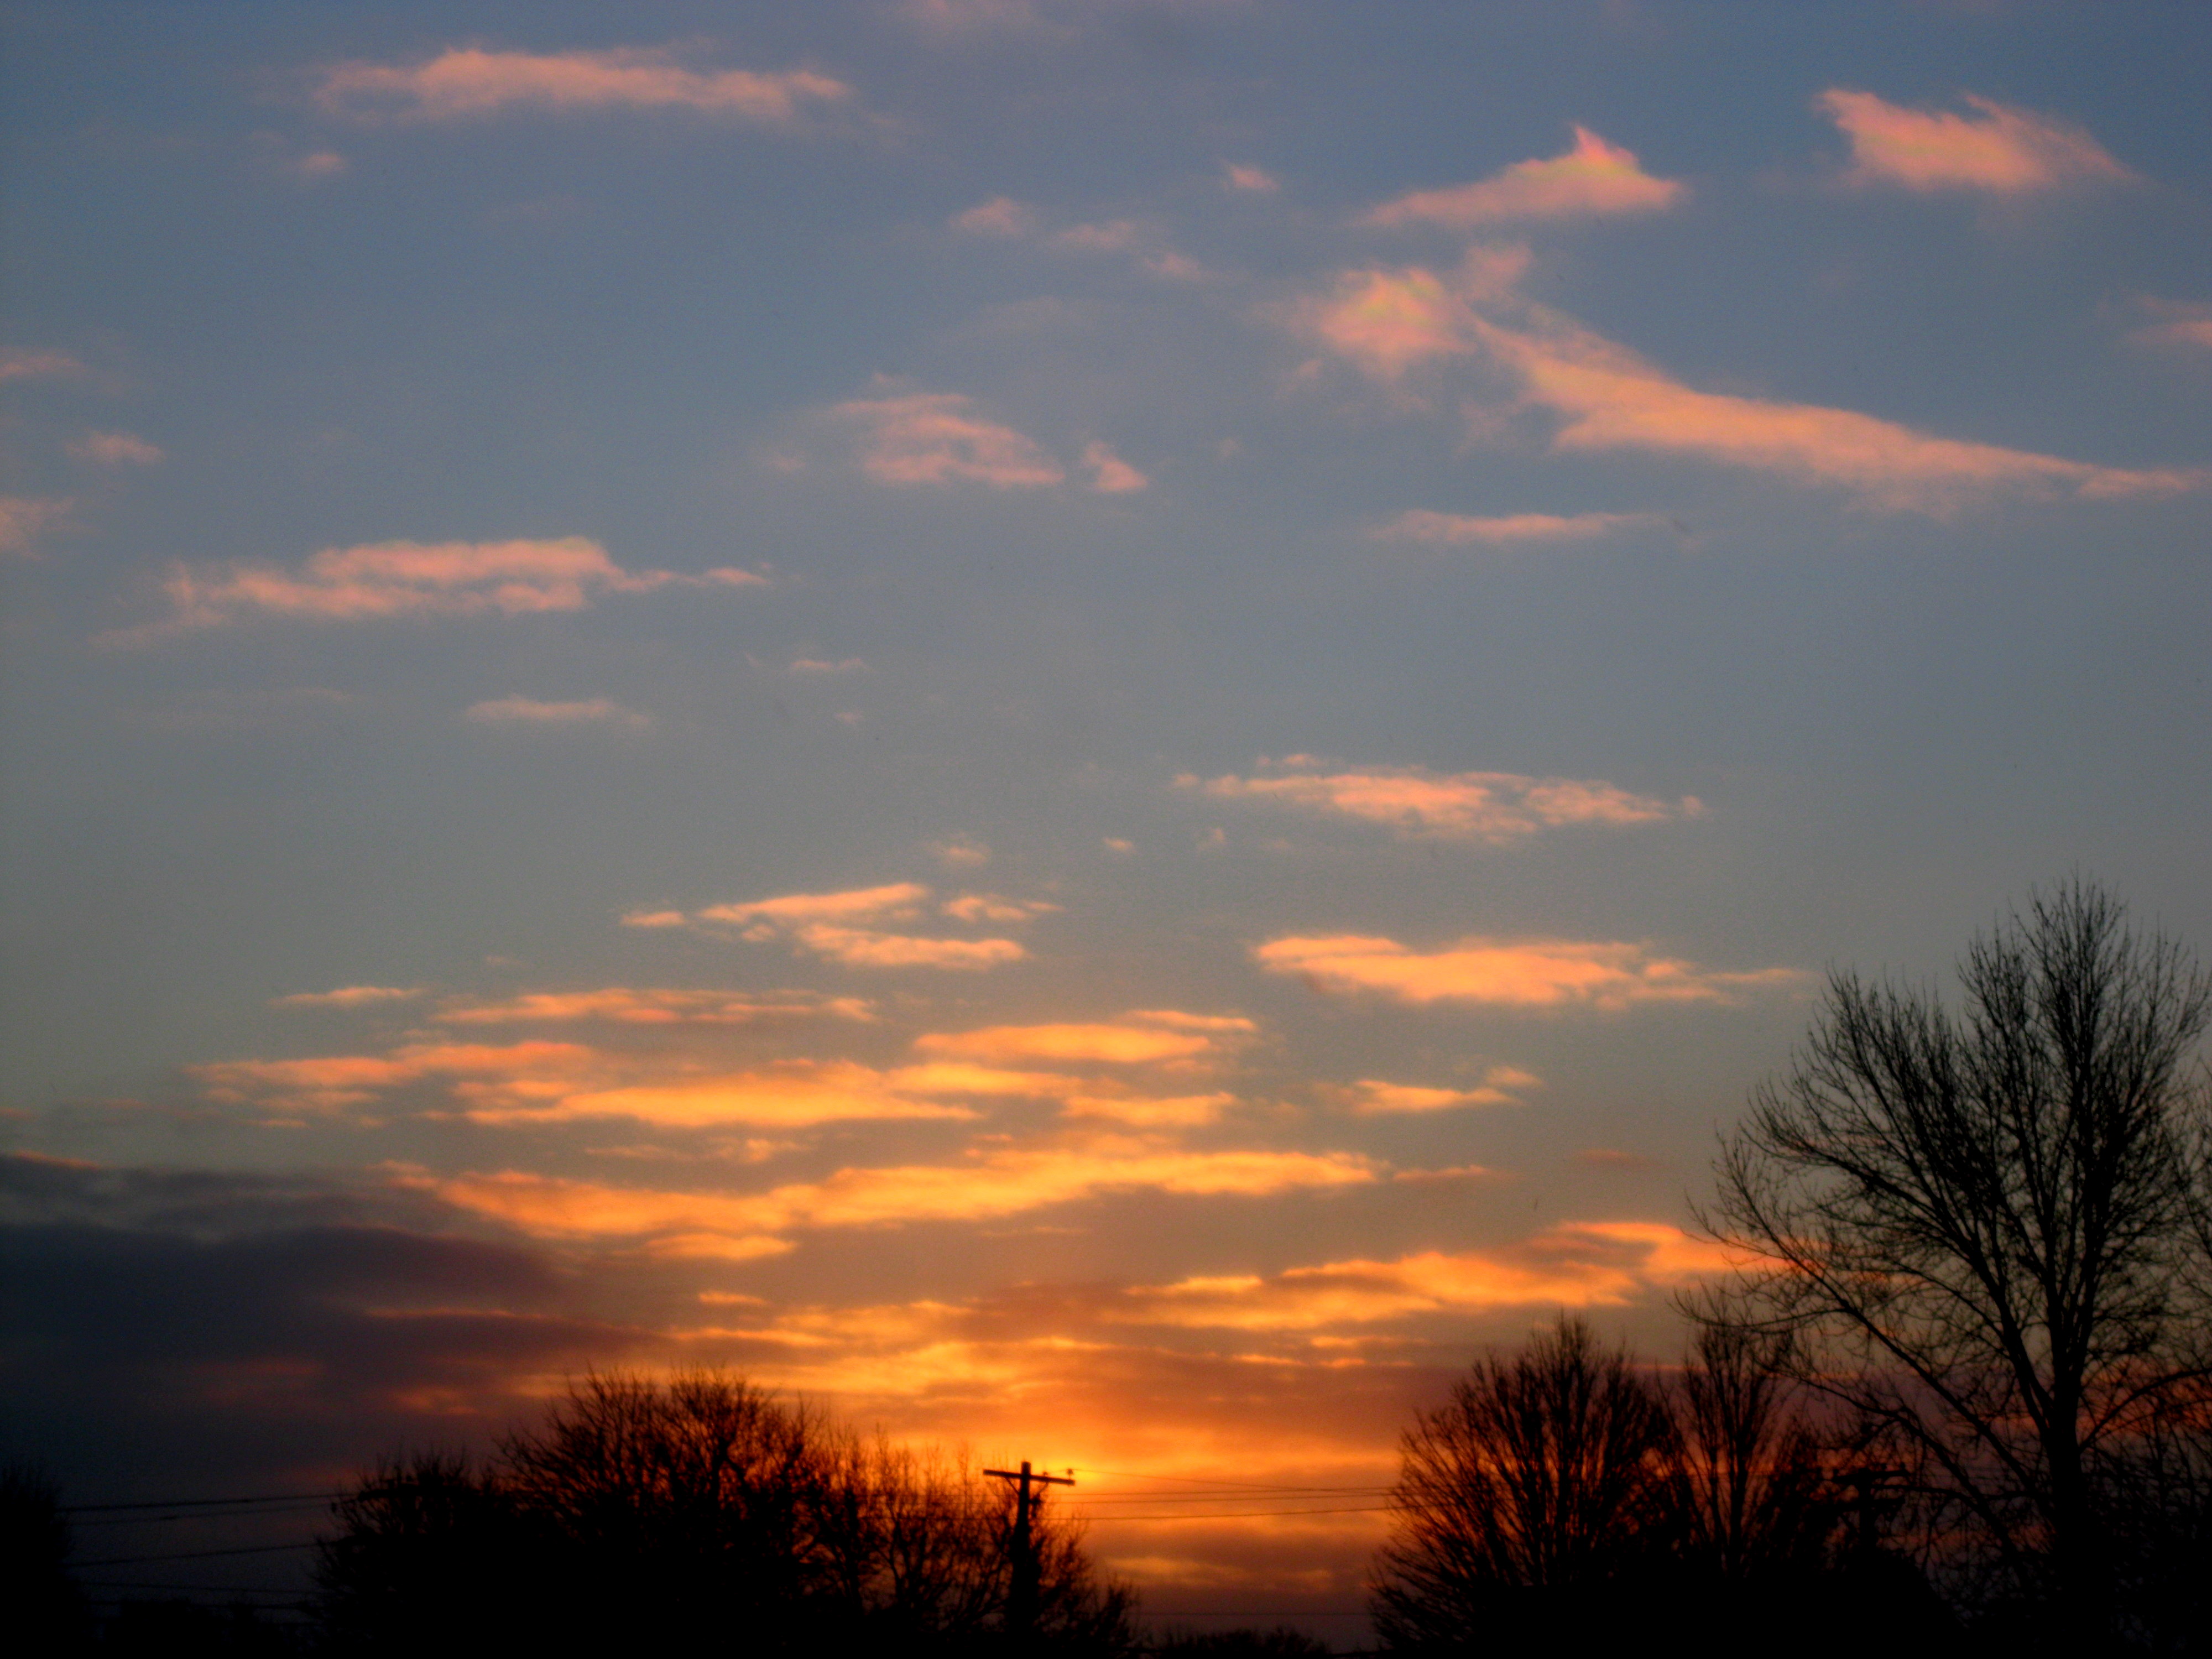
column 1979, row 1227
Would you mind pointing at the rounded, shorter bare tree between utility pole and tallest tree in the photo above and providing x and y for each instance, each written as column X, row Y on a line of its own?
column 1547, row 1477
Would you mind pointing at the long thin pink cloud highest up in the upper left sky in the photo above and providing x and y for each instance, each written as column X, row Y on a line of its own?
column 470, row 81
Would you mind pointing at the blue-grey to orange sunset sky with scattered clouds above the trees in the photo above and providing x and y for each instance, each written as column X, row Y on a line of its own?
column 1100, row 729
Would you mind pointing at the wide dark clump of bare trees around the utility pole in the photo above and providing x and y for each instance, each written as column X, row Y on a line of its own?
column 696, row 1512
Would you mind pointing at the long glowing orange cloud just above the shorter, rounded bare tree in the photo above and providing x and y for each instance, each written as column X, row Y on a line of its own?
column 1578, row 1264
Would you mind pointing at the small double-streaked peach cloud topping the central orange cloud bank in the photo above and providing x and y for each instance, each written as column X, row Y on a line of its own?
column 859, row 928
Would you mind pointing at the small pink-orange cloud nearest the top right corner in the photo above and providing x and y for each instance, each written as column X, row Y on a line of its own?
column 1999, row 149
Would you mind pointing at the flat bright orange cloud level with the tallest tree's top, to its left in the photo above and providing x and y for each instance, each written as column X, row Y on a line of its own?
column 1514, row 974
